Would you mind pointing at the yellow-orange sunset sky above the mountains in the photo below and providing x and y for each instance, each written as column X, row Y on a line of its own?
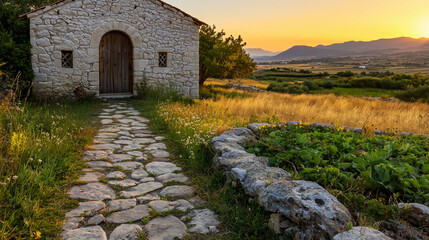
column 277, row 25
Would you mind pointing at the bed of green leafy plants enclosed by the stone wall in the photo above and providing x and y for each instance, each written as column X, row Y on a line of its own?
column 367, row 174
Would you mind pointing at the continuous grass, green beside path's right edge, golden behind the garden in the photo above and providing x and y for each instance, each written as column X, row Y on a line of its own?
column 190, row 125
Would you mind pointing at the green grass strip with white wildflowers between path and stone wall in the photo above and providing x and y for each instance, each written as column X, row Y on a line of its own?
column 188, row 139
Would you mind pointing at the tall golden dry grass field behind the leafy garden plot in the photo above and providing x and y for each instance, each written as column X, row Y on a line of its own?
column 342, row 111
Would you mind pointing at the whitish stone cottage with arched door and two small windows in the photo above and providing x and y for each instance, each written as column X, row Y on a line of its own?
column 109, row 46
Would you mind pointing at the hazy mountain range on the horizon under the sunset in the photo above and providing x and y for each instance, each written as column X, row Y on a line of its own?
column 352, row 48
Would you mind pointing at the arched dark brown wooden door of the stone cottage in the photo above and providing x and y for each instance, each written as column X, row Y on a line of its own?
column 116, row 63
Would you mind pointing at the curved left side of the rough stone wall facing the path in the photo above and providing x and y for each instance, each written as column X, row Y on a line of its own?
column 305, row 209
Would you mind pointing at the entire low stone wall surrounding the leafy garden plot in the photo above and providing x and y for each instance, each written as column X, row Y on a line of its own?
column 302, row 208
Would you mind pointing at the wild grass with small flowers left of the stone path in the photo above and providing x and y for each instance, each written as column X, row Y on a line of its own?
column 40, row 146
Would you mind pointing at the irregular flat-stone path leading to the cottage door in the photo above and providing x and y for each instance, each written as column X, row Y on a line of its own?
column 131, row 188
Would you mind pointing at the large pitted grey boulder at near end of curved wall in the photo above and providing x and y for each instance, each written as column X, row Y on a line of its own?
column 308, row 205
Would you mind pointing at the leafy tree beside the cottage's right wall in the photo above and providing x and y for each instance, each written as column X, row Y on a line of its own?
column 222, row 57
